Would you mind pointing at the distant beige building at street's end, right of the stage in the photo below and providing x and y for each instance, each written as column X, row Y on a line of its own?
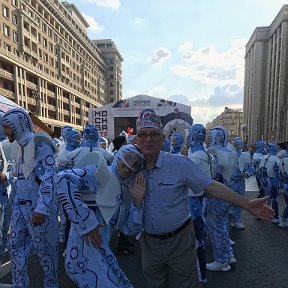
column 232, row 120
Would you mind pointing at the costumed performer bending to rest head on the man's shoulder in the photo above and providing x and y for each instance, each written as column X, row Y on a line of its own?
column 91, row 196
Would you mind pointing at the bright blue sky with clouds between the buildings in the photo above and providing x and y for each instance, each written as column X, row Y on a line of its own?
column 188, row 51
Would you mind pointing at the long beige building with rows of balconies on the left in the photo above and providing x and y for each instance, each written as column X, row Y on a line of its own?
column 49, row 66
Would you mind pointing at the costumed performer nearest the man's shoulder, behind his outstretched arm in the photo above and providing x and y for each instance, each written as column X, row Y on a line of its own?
column 197, row 153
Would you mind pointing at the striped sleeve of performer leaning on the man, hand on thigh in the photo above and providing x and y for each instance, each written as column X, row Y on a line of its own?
column 69, row 184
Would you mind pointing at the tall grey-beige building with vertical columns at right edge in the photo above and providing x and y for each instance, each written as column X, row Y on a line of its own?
column 266, row 85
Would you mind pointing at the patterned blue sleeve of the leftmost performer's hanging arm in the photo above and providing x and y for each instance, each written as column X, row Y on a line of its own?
column 45, row 170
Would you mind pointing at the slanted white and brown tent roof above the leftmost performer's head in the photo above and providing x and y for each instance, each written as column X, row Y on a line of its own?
column 38, row 125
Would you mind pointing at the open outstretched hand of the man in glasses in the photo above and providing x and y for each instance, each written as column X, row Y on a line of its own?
column 258, row 208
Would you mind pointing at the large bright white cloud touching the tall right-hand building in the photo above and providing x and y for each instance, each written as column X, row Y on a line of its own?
column 210, row 66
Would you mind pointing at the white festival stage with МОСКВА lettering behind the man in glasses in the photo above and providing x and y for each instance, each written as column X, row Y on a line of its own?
column 113, row 118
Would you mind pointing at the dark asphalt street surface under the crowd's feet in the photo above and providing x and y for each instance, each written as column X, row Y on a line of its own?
column 261, row 251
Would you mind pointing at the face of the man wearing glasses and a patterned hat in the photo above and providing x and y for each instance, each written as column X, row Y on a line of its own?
column 150, row 141
